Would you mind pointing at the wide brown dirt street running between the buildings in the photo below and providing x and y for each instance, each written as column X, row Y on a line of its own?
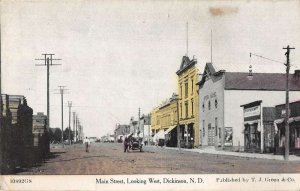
column 109, row 158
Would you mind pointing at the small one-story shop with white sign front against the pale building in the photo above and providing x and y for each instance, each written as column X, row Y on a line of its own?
column 258, row 127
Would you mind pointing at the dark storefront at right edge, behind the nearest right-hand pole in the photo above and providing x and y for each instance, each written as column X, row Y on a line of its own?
column 294, row 128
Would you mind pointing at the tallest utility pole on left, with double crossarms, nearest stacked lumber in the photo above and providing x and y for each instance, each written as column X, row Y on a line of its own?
column 48, row 62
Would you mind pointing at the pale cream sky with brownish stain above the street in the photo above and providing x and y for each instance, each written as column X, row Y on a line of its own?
column 118, row 56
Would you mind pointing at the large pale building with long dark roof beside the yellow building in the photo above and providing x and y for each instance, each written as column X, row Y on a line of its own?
column 221, row 95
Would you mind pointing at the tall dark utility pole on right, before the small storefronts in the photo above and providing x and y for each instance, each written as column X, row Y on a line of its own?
column 287, row 107
